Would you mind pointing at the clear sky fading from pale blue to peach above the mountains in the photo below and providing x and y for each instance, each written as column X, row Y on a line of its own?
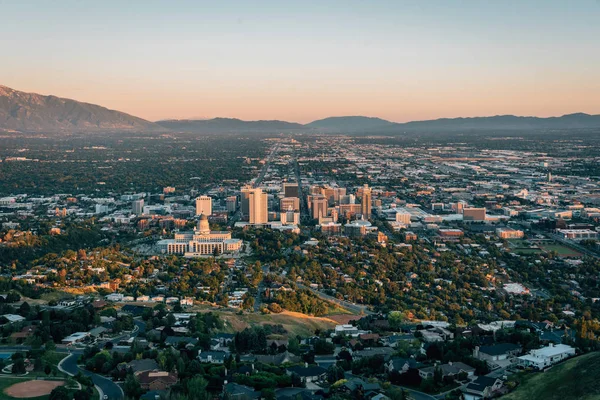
column 305, row 60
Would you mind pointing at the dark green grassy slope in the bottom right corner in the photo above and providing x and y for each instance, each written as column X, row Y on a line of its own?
column 578, row 378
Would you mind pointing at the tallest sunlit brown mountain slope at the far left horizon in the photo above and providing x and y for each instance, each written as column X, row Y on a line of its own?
column 31, row 112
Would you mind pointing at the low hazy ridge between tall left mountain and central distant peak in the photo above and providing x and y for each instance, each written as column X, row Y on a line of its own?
column 220, row 125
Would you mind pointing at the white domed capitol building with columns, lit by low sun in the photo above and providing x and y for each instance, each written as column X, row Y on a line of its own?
column 201, row 241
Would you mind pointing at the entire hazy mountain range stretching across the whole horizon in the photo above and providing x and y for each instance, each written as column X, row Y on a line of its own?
column 30, row 112
